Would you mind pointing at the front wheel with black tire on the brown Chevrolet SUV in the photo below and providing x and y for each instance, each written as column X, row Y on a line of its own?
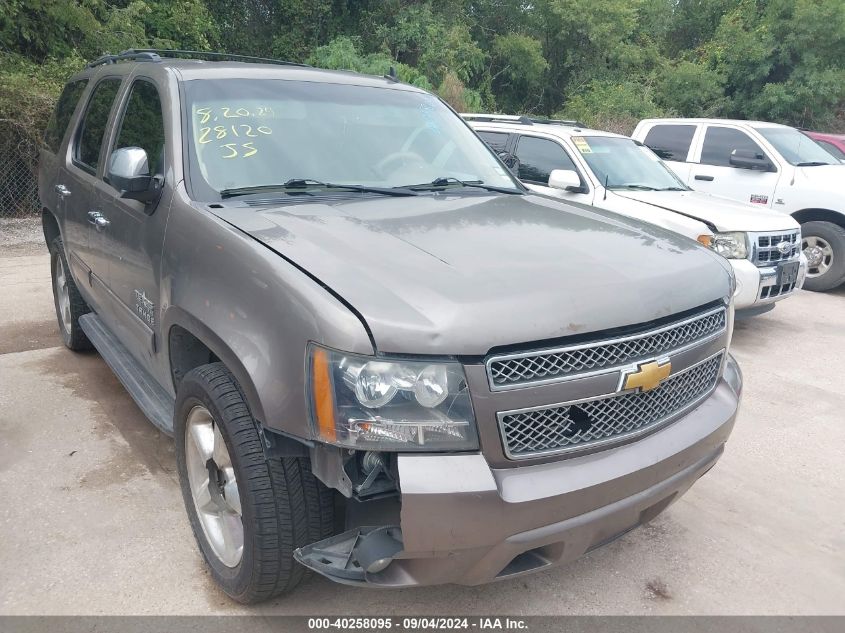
column 248, row 513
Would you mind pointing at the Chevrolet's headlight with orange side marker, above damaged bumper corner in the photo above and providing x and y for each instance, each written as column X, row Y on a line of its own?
column 373, row 404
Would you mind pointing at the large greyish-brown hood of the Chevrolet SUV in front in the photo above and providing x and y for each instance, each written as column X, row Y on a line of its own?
column 461, row 274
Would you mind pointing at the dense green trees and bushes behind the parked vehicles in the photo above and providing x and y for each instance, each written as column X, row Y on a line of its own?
column 607, row 62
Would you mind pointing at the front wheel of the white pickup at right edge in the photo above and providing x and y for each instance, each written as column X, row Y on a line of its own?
column 823, row 244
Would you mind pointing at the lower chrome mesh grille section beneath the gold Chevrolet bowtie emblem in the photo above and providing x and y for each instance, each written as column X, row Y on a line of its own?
column 608, row 419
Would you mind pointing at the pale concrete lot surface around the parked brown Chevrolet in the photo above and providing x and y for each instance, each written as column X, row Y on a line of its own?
column 91, row 519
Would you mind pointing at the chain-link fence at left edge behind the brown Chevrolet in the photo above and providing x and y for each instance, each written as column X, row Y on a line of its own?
column 18, row 172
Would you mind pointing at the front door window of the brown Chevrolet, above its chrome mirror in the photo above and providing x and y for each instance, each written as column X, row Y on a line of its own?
column 143, row 125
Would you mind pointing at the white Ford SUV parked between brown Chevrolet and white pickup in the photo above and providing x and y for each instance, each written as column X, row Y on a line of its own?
column 566, row 160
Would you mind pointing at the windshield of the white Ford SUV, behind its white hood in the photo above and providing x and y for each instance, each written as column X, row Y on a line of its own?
column 623, row 164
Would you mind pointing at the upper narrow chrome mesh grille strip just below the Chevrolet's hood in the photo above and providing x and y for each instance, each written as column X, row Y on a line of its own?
column 544, row 366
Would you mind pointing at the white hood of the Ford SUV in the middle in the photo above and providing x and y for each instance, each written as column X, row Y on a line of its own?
column 724, row 214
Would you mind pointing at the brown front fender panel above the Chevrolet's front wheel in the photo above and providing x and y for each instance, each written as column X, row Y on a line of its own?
column 254, row 310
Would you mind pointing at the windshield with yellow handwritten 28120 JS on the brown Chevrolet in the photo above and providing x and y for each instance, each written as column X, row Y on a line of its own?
column 254, row 133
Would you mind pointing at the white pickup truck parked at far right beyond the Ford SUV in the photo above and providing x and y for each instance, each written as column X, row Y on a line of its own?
column 767, row 165
